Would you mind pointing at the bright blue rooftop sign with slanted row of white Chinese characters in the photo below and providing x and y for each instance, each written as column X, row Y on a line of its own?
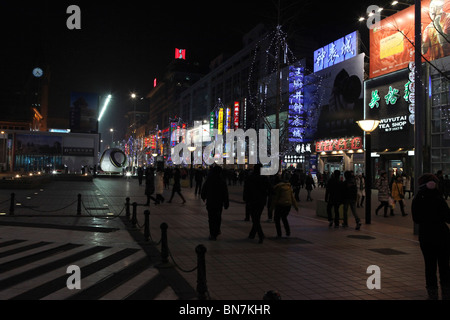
column 340, row 50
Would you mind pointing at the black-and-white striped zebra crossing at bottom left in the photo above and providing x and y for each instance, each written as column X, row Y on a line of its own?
column 37, row 270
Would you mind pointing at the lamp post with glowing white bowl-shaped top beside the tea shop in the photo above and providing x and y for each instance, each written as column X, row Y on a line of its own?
column 368, row 126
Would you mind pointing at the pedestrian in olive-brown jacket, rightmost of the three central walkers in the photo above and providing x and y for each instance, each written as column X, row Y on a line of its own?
column 282, row 201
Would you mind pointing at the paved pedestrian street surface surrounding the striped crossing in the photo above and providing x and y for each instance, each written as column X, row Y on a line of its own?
column 315, row 263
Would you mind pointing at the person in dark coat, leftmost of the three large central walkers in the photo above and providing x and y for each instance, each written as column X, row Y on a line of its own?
column 215, row 194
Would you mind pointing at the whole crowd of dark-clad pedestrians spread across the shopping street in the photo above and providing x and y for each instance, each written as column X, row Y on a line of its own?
column 278, row 194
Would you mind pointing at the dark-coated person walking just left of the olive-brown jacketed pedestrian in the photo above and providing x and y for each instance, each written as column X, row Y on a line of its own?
column 256, row 191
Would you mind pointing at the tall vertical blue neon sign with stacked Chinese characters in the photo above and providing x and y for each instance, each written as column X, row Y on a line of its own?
column 297, row 111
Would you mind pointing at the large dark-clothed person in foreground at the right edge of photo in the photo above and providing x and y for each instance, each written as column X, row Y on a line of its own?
column 432, row 214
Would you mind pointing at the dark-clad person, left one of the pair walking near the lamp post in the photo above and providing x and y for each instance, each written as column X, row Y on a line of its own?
column 334, row 197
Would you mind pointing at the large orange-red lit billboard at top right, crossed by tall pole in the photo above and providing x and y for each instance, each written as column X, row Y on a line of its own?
column 392, row 42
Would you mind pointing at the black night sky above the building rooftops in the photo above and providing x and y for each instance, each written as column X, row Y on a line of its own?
column 123, row 45
